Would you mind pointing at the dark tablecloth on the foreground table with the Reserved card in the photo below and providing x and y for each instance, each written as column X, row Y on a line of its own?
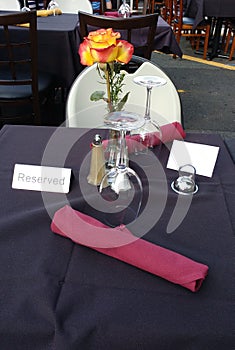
column 58, row 295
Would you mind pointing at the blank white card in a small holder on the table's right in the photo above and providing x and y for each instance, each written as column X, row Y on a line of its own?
column 202, row 157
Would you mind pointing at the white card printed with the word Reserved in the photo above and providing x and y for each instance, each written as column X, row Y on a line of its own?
column 41, row 178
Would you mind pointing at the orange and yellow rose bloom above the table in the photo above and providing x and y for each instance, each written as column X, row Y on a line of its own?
column 104, row 46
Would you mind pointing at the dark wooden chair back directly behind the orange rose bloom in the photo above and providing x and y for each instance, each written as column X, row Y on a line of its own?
column 129, row 28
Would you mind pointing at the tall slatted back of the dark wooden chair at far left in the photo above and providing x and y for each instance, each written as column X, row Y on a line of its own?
column 18, row 61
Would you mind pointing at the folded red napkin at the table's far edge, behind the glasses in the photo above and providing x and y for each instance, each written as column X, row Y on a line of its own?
column 170, row 132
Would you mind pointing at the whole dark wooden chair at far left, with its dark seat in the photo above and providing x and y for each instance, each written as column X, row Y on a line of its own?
column 21, row 85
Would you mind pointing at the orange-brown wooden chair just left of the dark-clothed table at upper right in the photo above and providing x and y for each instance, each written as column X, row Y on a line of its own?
column 184, row 26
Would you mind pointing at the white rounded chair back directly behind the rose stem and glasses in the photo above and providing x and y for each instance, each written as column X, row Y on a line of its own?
column 81, row 112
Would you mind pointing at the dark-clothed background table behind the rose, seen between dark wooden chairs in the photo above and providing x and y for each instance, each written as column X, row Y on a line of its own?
column 58, row 42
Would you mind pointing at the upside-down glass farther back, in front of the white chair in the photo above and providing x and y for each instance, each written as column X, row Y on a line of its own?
column 150, row 133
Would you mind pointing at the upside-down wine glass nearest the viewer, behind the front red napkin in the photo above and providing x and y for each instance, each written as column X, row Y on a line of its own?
column 121, row 173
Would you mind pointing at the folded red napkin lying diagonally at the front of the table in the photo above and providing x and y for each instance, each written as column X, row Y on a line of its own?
column 121, row 244
